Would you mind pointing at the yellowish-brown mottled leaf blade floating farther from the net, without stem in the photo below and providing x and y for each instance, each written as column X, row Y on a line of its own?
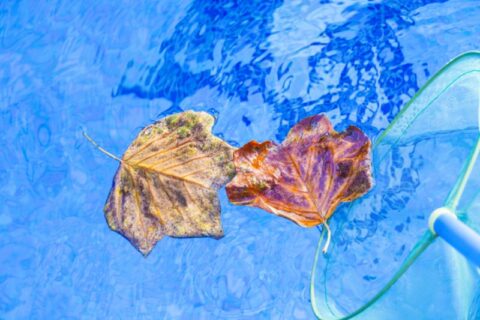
column 167, row 182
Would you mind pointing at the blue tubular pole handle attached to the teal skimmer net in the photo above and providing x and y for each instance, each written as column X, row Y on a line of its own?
column 444, row 223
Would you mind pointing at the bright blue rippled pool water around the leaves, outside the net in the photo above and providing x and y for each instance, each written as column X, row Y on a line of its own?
column 113, row 67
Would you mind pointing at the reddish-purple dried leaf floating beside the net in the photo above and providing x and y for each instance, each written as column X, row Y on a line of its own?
column 307, row 176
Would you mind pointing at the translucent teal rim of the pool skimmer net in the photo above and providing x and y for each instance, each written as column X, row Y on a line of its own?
column 460, row 68
